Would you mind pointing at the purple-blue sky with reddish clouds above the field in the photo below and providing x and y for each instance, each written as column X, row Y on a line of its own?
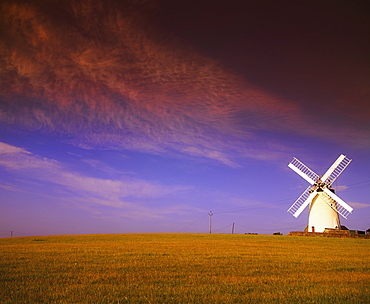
column 143, row 116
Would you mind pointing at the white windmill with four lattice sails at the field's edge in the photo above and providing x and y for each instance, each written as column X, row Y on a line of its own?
column 325, row 205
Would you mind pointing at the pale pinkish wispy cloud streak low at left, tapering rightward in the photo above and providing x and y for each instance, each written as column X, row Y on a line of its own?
column 104, row 192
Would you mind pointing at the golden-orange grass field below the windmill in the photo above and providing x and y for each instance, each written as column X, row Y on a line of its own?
column 184, row 268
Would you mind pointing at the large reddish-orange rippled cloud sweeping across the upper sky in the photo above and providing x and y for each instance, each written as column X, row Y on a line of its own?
column 112, row 82
